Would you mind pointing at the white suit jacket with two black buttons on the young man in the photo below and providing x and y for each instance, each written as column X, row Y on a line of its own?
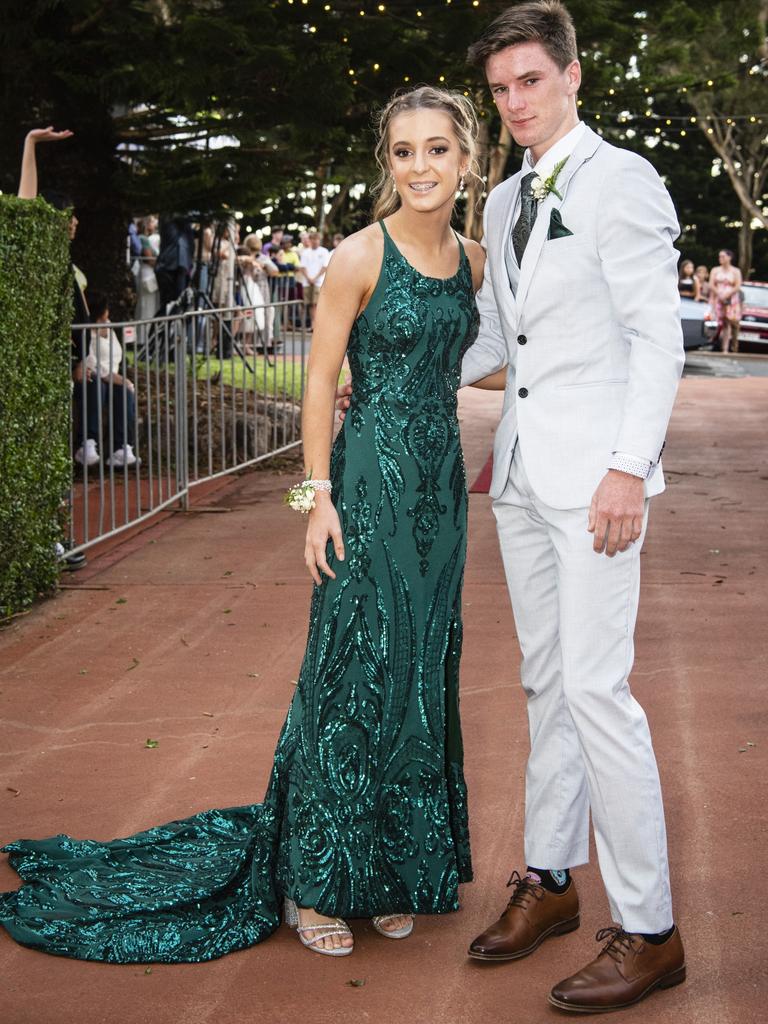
column 593, row 339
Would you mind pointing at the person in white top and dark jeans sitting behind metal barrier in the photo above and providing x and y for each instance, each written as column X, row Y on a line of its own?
column 105, row 362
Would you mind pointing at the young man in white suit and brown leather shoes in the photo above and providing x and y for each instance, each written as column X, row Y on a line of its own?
column 580, row 305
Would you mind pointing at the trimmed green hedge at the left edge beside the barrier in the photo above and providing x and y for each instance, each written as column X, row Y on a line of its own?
column 35, row 318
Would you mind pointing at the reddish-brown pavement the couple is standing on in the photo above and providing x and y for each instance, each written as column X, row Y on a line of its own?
column 192, row 634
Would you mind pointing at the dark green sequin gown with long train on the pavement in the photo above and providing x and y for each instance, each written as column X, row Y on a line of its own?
column 366, row 810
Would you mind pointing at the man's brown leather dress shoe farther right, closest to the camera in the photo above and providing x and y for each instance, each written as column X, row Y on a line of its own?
column 626, row 971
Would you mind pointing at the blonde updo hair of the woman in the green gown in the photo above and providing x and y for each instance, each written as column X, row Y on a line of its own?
column 462, row 114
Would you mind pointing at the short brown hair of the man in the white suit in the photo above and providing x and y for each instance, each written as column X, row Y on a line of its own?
column 545, row 22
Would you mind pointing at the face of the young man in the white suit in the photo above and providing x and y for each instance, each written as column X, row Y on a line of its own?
column 534, row 97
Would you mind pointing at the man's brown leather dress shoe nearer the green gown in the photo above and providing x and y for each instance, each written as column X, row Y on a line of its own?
column 533, row 915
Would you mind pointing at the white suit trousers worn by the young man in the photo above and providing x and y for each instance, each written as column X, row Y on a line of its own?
column 590, row 745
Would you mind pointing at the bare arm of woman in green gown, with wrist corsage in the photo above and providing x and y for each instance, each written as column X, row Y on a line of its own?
column 349, row 281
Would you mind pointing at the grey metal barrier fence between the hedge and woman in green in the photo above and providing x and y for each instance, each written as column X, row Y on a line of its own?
column 164, row 405
